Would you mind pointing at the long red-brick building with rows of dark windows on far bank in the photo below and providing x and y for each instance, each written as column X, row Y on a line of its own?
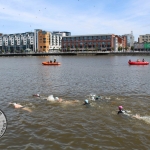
column 95, row 42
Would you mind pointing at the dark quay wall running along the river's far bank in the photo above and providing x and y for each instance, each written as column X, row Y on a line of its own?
column 77, row 54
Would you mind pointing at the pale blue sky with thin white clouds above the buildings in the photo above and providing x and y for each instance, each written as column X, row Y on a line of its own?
column 80, row 17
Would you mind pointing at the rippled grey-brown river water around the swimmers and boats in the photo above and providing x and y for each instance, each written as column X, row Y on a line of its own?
column 69, row 125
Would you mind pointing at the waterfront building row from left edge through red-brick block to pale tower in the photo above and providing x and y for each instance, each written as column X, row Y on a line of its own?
column 46, row 41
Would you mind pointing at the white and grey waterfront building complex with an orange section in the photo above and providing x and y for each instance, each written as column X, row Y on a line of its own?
column 37, row 41
